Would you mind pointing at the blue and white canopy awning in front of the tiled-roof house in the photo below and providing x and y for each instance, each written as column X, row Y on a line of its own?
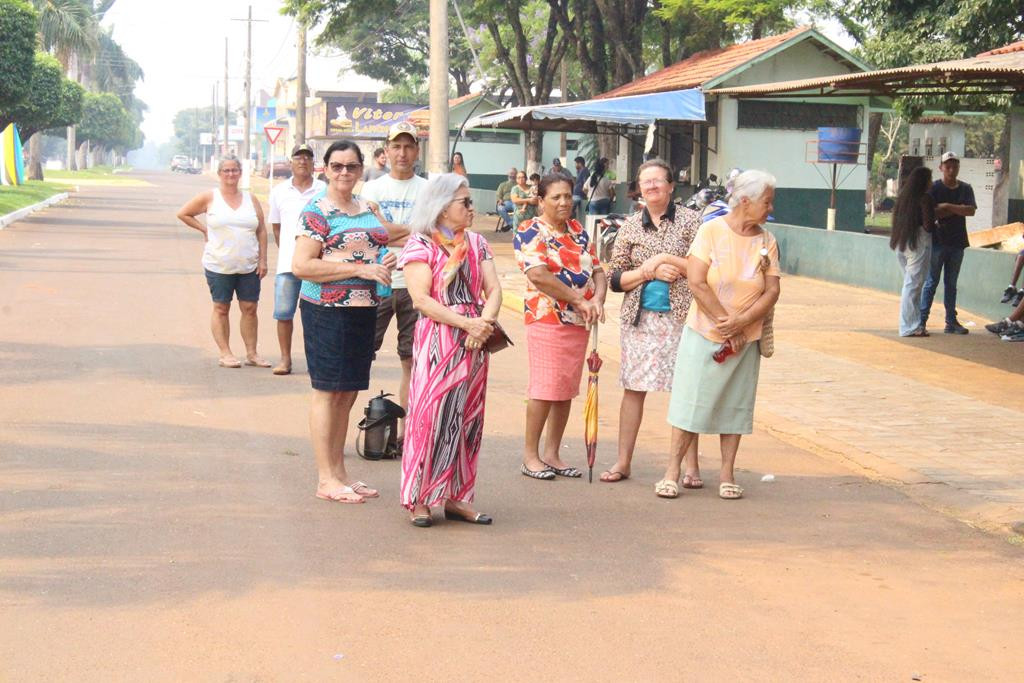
column 592, row 116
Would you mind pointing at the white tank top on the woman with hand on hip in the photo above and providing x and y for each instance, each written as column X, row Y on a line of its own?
column 231, row 243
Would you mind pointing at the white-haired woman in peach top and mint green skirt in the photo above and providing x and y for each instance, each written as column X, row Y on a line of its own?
column 734, row 273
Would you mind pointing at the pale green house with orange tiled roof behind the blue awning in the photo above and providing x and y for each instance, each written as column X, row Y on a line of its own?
column 770, row 134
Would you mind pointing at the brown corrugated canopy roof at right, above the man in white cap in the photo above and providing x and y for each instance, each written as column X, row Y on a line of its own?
column 999, row 72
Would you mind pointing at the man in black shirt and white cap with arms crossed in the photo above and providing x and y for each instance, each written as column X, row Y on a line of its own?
column 954, row 203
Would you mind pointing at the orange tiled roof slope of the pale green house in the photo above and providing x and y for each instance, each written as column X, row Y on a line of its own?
column 703, row 67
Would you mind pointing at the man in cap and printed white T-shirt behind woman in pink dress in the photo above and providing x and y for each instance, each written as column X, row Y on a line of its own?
column 395, row 195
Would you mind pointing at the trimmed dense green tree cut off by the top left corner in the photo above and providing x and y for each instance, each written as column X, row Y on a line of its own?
column 19, row 24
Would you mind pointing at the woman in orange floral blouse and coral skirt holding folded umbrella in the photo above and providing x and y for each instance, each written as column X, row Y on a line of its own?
column 566, row 289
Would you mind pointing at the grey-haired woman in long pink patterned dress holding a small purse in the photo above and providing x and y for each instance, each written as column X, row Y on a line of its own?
column 454, row 285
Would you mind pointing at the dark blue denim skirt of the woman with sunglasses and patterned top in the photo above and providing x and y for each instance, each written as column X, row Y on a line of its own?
column 339, row 344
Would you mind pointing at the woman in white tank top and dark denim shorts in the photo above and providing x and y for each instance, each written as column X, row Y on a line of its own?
column 235, row 258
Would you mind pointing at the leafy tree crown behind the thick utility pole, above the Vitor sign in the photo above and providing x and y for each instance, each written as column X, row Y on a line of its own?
column 389, row 40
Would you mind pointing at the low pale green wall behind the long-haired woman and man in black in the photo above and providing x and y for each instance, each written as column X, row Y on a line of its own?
column 866, row 261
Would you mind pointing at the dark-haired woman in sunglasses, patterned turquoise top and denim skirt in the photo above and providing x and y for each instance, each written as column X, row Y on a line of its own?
column 339, row 259
